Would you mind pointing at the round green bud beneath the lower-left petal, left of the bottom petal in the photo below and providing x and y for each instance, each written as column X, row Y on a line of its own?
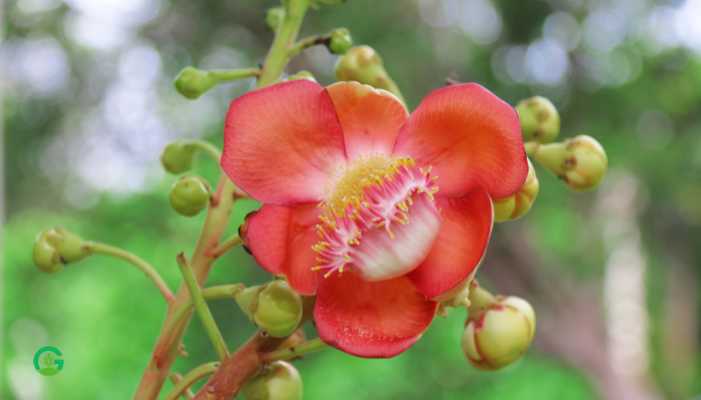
column 274, row 307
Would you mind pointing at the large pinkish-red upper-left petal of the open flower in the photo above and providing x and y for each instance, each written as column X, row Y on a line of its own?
column 282, row 142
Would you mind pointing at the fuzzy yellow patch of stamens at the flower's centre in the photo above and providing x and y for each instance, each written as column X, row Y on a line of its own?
column 349, row 188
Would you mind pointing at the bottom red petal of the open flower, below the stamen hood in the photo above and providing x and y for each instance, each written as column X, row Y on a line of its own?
column 370, row 319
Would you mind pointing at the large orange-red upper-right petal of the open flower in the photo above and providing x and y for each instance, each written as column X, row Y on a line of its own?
column 470, row 137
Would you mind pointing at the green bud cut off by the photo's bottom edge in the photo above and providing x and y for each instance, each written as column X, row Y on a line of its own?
column 278, row 381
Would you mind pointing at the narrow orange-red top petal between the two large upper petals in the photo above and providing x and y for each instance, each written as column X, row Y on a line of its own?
column 370, row 117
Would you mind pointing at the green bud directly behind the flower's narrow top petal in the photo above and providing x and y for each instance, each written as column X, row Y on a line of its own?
column 364, row 65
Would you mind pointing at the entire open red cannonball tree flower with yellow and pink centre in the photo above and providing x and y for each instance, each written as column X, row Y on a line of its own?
column 376, row 212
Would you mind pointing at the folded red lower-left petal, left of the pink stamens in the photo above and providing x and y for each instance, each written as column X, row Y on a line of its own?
column 281, row 239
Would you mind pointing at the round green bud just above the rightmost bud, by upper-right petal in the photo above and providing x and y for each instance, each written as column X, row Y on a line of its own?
column 540, row 120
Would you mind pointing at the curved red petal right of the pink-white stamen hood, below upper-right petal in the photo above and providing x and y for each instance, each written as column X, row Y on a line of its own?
column 460, row 245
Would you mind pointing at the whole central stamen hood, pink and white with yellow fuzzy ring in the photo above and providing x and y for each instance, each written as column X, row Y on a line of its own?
column 380, row 220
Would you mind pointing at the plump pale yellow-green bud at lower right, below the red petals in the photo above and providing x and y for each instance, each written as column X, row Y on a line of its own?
column 500, row 334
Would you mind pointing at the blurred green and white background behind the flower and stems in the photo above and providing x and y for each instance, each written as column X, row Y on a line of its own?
column 88, row 103
